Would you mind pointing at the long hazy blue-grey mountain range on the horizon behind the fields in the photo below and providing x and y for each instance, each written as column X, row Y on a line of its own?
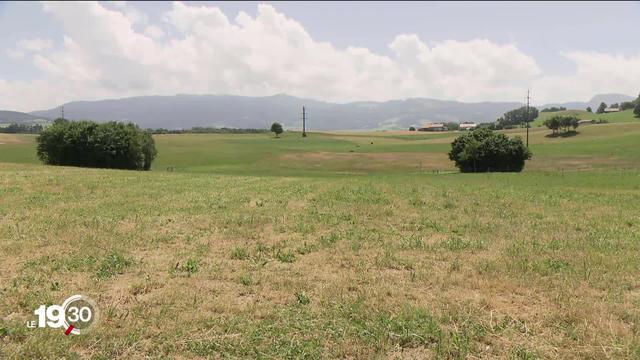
column 186, row 111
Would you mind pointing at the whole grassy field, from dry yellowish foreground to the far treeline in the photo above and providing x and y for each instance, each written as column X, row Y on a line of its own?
column 339, row 245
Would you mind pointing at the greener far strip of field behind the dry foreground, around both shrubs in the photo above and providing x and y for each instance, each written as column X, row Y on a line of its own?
column 602, row 146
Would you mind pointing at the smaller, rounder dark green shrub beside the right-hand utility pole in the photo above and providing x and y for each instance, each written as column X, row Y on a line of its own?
column 483, row 150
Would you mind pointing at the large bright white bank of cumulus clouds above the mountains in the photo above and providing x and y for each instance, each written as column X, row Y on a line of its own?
column 112, row 51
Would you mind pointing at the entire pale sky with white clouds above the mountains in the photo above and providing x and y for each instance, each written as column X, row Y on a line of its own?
column 52, row 53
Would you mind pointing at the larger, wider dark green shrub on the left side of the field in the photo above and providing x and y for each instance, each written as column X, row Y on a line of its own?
column 113, row 145
